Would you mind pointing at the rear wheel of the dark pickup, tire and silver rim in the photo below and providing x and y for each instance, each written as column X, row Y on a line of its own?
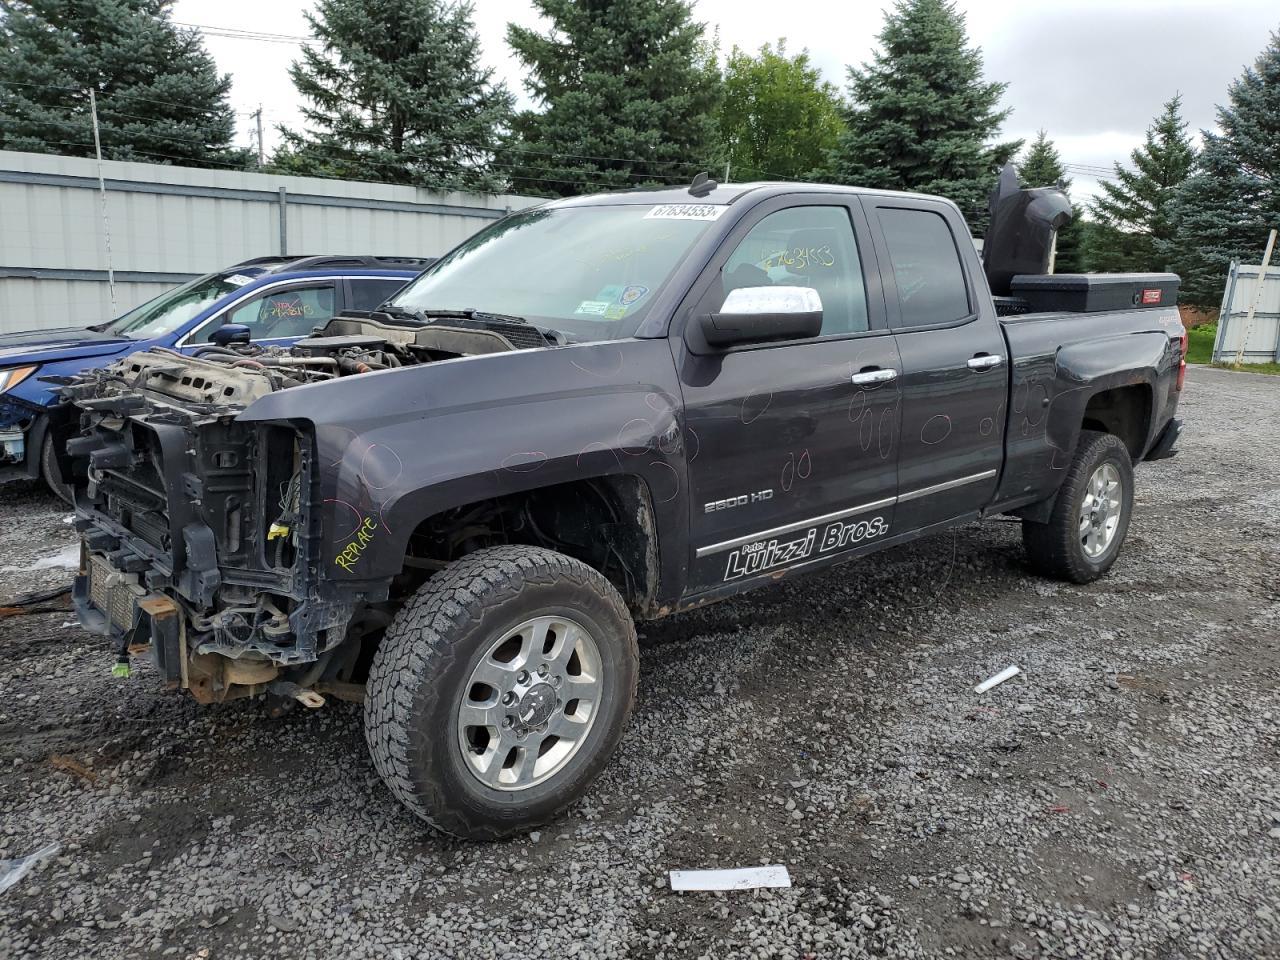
column 1091, row 514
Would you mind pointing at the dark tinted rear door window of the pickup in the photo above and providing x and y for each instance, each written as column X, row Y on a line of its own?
column 931, row 287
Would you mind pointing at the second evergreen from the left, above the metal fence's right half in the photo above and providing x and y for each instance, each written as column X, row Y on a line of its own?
column 396, row 93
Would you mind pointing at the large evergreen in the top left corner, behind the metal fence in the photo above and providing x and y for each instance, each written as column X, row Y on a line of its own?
column 161, row 98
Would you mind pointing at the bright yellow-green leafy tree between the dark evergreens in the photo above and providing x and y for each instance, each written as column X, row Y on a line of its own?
column 778, row 118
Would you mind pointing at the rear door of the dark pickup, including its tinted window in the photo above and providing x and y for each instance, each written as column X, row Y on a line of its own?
column 956, row 371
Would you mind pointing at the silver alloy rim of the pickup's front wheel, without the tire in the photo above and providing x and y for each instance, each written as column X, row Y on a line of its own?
column 531, row 703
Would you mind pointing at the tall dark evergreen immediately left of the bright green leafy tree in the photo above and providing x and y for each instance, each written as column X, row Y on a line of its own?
column 627, row 92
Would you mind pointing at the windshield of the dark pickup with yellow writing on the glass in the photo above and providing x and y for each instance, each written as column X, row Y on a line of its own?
column 589, row 272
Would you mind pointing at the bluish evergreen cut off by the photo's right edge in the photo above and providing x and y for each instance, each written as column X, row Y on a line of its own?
column 1227, row 208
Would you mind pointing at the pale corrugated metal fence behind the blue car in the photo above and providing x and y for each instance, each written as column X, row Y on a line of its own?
column 172, row 223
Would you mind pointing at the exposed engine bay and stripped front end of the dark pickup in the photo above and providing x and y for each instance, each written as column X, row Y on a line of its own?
column 200, row 529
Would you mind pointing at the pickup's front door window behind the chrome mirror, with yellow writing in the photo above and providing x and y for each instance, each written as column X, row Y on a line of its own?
column 806, row 246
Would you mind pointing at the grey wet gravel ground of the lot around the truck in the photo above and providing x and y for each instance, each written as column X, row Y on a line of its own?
column 1118, row 801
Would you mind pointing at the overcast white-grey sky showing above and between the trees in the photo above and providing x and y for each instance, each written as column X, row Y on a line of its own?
column 1091, row 72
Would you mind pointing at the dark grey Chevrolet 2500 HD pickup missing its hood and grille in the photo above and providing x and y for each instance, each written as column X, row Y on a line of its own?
column 604, row 410
